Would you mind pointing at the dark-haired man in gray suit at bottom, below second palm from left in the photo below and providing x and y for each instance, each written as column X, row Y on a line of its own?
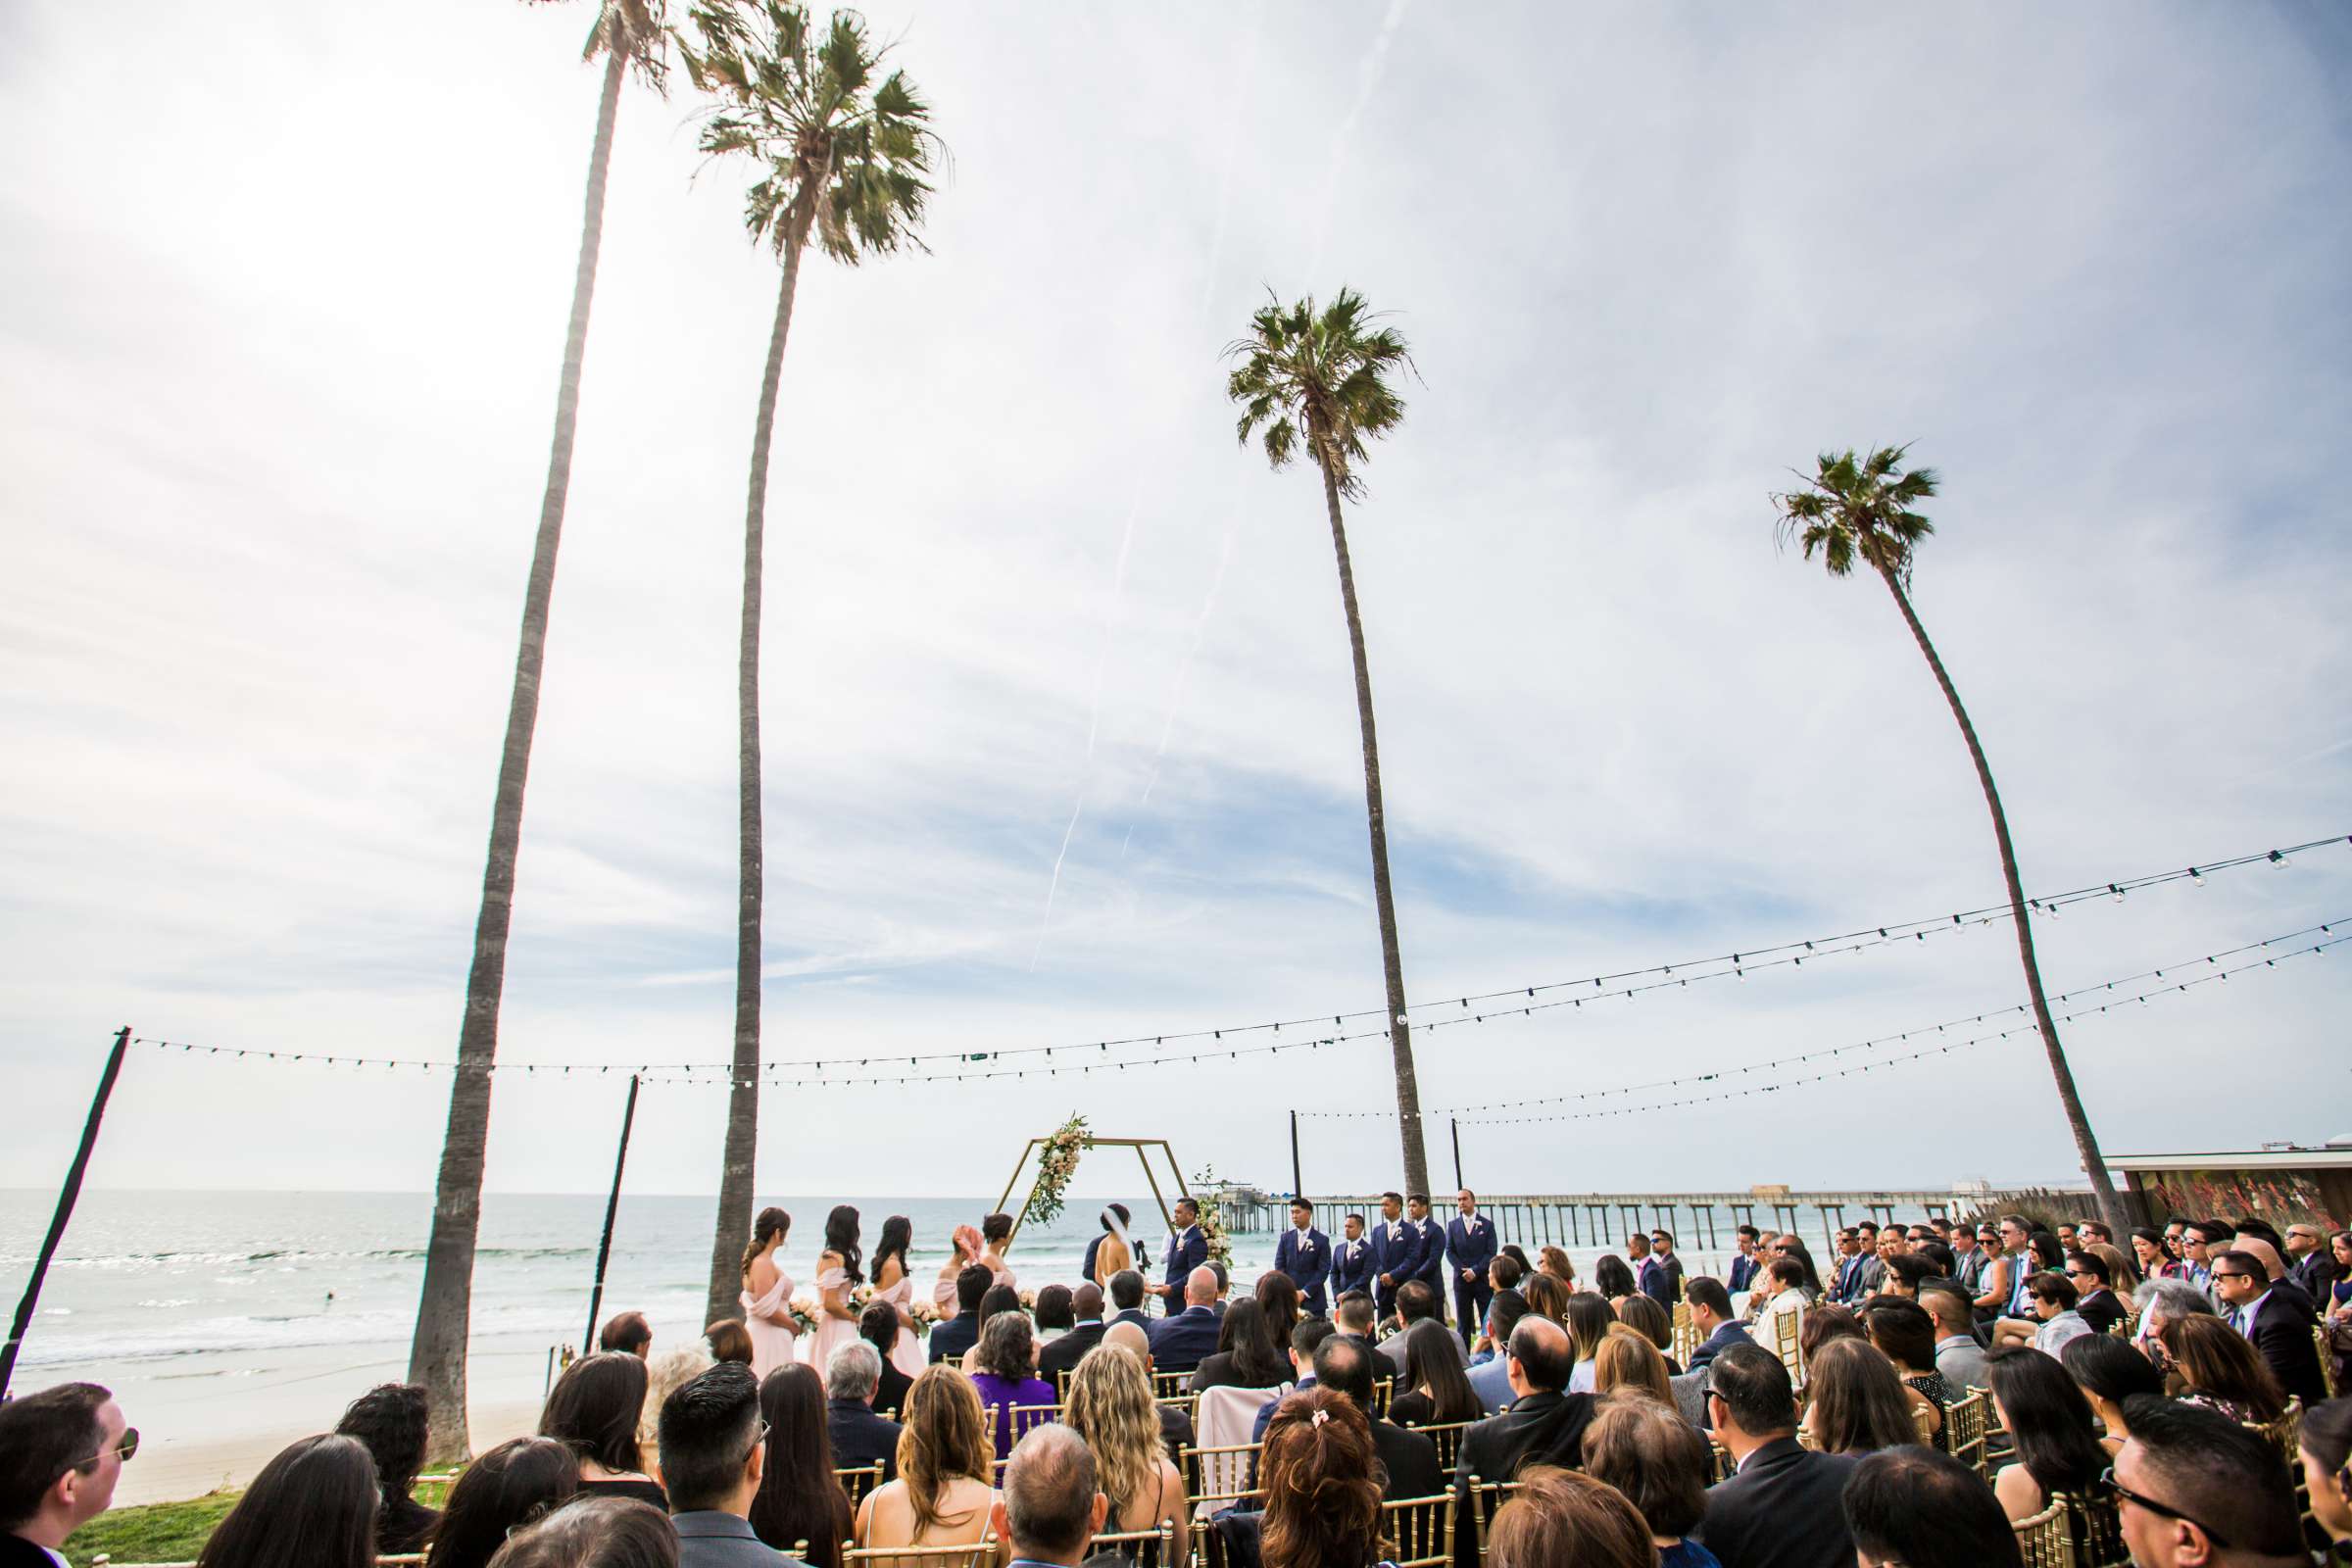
column 711, row 1459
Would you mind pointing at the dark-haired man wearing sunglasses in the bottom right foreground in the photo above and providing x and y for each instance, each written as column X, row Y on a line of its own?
column 2198, row 1489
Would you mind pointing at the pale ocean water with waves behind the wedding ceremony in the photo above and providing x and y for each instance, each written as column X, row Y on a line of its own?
column 232, row 1320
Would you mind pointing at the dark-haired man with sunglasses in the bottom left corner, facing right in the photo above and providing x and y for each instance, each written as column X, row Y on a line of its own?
column 62, row 1454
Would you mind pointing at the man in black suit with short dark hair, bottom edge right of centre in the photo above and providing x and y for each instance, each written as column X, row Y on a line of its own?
column 1782, row 1510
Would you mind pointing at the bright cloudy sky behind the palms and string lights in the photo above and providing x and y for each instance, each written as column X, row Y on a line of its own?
column 1057, row 699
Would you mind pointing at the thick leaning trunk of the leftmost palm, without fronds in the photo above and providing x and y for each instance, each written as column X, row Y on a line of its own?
column 446, row 1306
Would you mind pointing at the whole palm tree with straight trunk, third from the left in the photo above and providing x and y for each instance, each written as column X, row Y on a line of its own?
column 1323, row 377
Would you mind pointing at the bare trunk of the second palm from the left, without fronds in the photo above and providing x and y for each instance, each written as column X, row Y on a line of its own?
column 744, row 1087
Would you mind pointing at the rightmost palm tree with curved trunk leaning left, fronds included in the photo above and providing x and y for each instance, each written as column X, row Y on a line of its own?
column 1862, row 509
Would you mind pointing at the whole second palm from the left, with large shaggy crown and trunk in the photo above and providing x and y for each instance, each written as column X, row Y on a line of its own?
column 846, row 163
